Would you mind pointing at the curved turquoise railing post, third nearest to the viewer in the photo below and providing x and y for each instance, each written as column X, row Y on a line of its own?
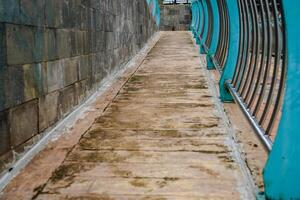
column 215, row 34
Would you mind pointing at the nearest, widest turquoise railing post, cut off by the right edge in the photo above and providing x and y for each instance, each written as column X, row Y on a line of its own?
column 282, row 172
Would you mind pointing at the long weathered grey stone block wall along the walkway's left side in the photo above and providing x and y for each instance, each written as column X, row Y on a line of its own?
column 54, row 54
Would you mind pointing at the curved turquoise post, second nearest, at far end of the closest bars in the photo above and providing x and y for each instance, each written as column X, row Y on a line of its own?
column 234, row 35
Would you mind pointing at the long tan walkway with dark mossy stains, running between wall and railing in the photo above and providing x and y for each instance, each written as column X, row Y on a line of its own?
column 161, row 137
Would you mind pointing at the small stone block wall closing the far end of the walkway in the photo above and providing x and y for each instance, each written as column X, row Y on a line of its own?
column 175, row 17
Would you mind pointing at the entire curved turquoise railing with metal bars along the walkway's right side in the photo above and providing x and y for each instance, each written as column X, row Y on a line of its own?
column 255, row 46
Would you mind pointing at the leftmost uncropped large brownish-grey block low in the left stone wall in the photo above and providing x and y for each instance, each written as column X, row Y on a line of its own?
column 23, row 121
